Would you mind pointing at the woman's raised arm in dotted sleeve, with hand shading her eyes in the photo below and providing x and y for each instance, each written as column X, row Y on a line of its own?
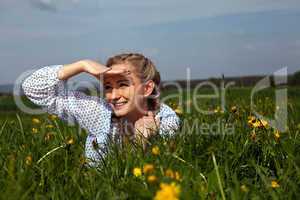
column 48, row 88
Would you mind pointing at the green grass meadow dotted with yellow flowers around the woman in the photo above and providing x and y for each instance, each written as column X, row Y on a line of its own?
column 43, row 159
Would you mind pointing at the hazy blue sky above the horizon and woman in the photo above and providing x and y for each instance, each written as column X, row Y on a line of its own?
column 211, row 37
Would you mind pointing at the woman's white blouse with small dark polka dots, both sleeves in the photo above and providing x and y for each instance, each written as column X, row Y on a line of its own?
column 92, row 113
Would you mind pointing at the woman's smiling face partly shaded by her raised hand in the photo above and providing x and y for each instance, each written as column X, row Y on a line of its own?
column 124, row 92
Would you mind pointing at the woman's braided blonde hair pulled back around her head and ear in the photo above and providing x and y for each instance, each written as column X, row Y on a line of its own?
column 145, row 69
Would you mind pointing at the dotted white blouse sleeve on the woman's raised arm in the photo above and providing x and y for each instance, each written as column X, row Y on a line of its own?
column 92, row 113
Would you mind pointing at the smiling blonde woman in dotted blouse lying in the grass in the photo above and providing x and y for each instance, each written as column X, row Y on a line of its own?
column 131, row 106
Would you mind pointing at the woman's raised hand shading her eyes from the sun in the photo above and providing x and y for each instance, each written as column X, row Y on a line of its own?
column 96, row 69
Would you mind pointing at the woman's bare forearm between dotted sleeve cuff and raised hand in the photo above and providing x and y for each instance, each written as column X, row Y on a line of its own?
column 69, row 70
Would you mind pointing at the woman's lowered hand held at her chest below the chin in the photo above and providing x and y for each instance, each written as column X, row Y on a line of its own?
column 146, row 127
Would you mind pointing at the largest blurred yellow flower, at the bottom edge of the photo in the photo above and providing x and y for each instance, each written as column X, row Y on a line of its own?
column 168, row 192
